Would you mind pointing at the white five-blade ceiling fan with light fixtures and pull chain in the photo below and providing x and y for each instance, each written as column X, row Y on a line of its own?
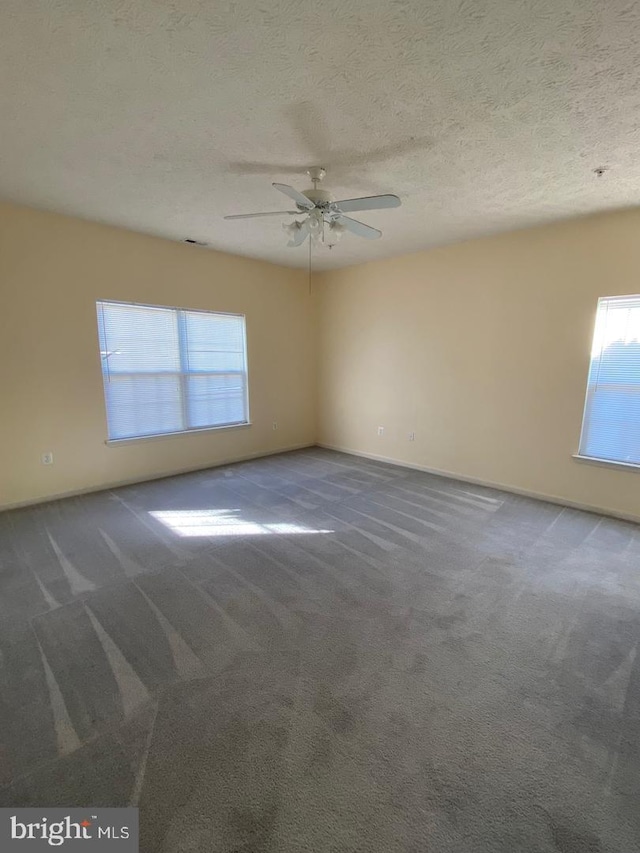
column 324, row 219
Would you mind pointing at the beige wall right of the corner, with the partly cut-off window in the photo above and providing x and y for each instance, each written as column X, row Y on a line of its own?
column 482, row 350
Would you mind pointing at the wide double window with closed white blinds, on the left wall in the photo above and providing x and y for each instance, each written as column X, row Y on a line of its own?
column 166, row 370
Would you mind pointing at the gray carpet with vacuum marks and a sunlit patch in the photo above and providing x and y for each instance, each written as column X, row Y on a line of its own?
column 313, row 652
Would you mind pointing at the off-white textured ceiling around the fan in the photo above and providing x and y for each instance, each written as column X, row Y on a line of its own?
column 483, row 115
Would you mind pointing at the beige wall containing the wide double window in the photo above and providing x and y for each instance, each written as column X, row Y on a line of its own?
column 52, row 270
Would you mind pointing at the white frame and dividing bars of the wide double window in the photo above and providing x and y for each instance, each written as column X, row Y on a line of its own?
column 182, row 376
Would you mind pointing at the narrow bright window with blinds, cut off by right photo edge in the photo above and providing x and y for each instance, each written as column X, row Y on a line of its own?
column 611, row 426
